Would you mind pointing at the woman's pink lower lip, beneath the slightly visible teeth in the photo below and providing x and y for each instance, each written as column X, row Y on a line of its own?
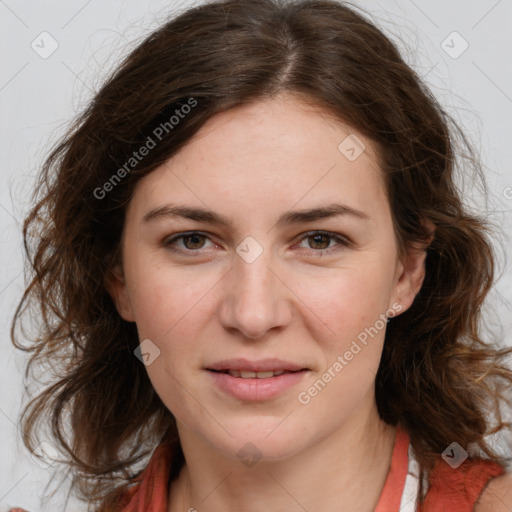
column 256, row 389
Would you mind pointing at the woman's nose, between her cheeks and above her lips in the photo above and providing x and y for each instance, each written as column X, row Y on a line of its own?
column 256, row 298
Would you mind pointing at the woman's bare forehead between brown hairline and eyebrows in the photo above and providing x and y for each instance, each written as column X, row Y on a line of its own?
column 266, row 157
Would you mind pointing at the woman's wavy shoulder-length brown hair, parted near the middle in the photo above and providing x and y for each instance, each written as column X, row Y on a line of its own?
column 438, row 377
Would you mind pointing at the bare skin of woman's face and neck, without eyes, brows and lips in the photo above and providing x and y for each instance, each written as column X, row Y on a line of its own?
column 252, row 164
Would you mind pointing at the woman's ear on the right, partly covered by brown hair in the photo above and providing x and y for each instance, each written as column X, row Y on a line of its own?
column 411, row 271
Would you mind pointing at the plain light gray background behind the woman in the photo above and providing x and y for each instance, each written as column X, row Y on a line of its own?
column 39, row 96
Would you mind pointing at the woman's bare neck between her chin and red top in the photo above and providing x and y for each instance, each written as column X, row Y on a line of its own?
column 343, row 472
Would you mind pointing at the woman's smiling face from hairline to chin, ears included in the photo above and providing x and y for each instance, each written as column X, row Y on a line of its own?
column 292, row 266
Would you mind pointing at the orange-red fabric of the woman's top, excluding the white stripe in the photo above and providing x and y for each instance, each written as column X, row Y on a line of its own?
column 449, row 489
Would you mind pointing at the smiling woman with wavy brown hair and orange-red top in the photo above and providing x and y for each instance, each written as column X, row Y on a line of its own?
column 252, row 255
